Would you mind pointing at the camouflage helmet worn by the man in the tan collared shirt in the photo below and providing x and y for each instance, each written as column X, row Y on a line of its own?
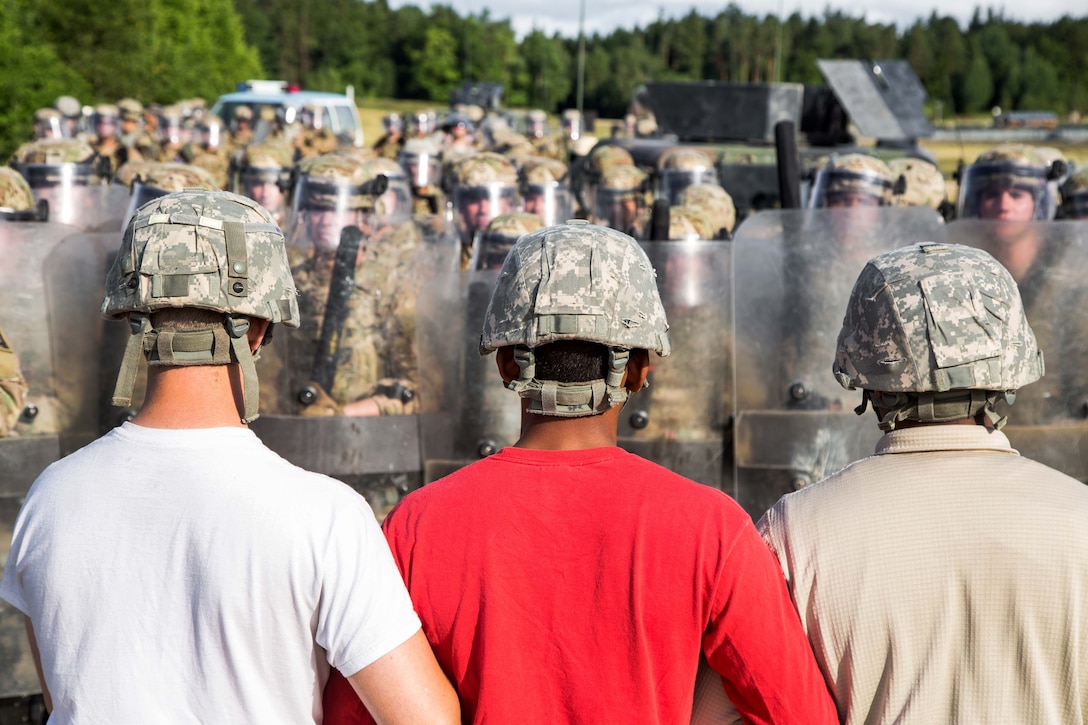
column 936, row 333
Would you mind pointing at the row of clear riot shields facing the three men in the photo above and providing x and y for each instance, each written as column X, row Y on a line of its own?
column 747, row 402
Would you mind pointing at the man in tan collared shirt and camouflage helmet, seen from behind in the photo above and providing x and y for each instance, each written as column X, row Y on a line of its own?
column 917, row 571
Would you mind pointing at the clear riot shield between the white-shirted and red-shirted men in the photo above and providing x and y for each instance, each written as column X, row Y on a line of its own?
column 341, row 395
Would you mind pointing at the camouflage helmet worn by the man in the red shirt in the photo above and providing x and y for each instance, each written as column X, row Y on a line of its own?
column 575, row 281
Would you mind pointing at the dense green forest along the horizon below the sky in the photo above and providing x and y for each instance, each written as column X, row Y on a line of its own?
column 163, row 51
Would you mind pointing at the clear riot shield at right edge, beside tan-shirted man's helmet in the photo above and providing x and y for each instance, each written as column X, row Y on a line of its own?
column 1049, row 261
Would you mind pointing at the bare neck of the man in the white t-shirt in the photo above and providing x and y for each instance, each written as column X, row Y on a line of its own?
column 200, row 397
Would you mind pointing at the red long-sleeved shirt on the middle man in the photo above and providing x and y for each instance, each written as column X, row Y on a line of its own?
column 579, row 587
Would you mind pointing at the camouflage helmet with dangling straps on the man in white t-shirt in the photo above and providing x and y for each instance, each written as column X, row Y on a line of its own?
column 213, row 251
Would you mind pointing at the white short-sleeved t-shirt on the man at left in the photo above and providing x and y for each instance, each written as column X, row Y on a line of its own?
column 195, row 576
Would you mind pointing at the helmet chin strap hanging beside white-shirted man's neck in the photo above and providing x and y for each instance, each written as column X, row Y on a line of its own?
column 219, row 346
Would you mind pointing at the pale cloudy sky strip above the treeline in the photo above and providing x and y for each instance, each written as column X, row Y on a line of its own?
column 604, row 17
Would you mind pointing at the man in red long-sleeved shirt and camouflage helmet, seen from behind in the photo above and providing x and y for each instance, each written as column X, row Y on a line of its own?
column 566, row 581
